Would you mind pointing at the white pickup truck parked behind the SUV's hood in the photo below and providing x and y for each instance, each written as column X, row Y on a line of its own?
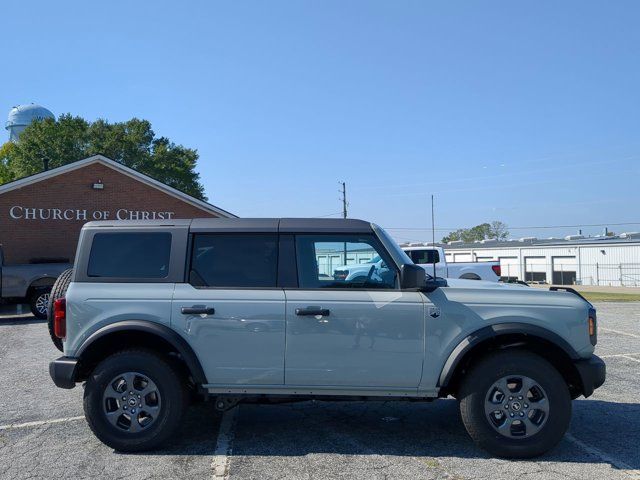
column 426, row 256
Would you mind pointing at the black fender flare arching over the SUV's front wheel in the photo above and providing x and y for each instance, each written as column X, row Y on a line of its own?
column 495, row 331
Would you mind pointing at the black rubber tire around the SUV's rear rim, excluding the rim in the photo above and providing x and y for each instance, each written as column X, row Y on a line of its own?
column 172, row 393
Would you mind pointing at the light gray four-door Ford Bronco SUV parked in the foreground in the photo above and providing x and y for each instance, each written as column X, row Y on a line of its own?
column 156, row 313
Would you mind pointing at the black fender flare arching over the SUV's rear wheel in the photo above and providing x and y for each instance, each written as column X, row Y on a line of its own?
column 153, row 328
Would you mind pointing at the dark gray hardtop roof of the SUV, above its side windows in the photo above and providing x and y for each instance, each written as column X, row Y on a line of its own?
column 282, row 225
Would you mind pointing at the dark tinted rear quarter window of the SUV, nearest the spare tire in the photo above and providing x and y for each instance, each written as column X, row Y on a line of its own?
column 130, row 255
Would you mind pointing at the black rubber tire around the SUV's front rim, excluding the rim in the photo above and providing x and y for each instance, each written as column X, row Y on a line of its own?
column 475, row 390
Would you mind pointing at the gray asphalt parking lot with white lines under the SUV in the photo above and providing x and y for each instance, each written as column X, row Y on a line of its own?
column 43, row 433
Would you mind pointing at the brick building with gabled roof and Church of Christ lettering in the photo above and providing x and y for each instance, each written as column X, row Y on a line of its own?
column 41, row 215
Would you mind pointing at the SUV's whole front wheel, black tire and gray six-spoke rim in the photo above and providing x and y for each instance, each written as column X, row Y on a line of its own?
column 515, row 404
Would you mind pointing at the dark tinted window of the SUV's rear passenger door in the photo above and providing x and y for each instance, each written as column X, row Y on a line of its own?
column 229, row 260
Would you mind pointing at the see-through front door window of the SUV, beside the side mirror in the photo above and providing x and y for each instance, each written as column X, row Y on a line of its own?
column 347, row 261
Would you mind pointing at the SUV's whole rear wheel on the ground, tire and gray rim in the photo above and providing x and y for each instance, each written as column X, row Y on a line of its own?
column 134, row 400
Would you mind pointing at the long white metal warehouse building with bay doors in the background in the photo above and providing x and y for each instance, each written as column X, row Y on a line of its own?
column 574, row 260
